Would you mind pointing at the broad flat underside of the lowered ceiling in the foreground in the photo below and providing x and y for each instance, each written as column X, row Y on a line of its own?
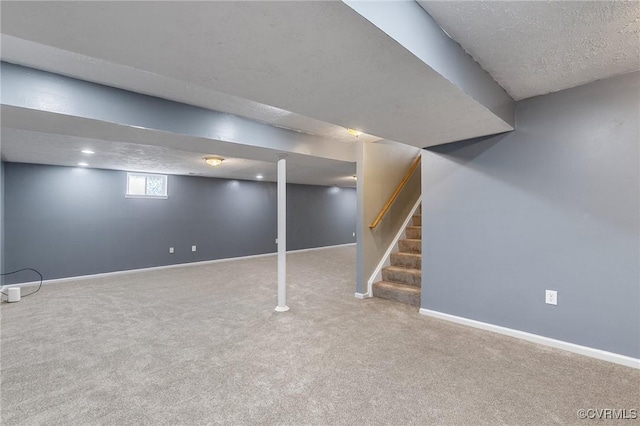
column 318, row 59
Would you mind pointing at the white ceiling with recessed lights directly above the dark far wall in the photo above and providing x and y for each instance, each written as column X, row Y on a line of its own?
column 26, row 146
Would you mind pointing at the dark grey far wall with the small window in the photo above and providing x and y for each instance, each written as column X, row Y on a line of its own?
column 68, row 221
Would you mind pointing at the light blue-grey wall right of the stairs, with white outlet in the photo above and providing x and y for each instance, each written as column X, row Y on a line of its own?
column 553, row 205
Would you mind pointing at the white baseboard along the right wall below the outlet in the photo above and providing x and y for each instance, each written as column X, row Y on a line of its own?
column 535, row 338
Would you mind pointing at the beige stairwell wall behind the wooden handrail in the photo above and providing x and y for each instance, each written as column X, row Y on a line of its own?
column 380, row 168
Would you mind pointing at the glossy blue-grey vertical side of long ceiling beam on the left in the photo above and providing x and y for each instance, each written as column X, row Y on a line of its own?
column 46, row 92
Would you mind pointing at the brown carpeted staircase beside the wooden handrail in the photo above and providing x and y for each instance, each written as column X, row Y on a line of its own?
column 403, row 279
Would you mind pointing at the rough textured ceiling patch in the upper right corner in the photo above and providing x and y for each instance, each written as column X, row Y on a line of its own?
column 535, row 47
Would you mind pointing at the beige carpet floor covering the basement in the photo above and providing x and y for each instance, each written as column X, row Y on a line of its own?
column 202, row 345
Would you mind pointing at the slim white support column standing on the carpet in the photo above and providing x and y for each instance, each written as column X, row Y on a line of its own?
column 282, row 236
